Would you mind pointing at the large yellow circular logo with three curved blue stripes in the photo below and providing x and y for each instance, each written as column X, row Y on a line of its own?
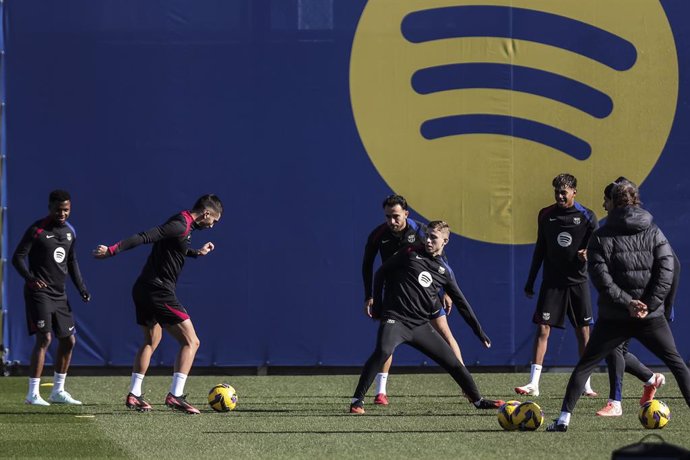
column 470, row 108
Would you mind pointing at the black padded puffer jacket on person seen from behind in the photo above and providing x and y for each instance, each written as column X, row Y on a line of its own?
column 630, row 258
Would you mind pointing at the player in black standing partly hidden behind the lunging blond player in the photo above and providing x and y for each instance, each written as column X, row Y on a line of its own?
column 397, row 232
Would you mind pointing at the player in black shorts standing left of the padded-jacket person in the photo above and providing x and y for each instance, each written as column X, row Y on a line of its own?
column 564, row 229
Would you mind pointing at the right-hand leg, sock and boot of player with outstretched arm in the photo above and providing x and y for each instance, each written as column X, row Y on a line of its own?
column 186, row 336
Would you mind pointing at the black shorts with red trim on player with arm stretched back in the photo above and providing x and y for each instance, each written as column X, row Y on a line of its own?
column 157, row 305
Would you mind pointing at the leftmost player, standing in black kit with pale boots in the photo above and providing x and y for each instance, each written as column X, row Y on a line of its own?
column 49, row 245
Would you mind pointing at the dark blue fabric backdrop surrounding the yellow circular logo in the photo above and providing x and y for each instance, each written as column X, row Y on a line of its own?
column 138, row 107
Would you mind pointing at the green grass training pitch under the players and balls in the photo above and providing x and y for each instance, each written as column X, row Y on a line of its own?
column 306, row 417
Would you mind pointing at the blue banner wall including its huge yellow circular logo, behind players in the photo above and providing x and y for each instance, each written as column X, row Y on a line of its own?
column 302, row 115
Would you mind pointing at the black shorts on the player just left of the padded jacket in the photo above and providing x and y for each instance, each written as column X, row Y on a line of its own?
column 556, row 302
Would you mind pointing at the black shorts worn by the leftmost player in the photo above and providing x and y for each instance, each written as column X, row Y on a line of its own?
column 45, row 313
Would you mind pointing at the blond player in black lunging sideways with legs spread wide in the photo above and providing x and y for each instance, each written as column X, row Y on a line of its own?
column 413, row 278
